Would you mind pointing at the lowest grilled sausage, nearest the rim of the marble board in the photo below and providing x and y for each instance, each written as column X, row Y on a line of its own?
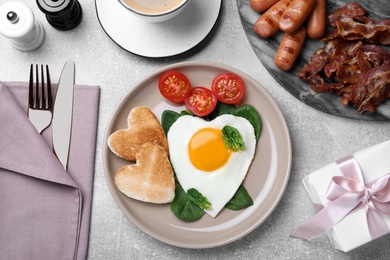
column 289, row 48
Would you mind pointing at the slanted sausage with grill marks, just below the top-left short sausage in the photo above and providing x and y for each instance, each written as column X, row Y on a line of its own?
column 268, row 23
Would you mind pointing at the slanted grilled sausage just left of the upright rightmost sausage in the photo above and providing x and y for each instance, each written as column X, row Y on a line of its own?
column 296, row 13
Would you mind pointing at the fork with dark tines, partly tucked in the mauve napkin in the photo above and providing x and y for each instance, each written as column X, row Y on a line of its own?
column 40, row 99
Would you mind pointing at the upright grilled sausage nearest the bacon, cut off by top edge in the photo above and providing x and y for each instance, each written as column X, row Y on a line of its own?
column 316, row 21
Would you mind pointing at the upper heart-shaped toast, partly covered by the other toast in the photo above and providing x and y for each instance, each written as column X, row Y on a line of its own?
column 143, row 127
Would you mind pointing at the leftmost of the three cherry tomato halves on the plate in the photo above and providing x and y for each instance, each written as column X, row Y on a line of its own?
column 174, row 86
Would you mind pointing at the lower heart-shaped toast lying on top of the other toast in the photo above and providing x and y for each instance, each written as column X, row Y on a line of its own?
column 150, row 179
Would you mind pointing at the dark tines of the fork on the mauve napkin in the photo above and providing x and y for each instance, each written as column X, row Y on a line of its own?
column 40, row 93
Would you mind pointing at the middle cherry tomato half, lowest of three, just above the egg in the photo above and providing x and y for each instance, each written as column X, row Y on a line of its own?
column 201, row 101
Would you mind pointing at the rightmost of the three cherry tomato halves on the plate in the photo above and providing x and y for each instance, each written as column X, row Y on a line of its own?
column 228, row 87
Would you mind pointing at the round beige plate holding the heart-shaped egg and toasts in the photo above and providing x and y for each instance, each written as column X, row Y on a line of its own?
column 266, row 179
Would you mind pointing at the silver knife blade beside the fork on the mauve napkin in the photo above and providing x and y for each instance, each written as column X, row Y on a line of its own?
column 62, row 113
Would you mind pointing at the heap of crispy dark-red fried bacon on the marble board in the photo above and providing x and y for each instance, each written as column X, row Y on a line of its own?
column 350, row 64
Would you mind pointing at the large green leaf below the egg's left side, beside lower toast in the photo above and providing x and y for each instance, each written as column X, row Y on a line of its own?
column 183, row 208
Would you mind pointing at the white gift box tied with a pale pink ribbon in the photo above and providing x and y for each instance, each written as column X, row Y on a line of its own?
column 352, row 231
